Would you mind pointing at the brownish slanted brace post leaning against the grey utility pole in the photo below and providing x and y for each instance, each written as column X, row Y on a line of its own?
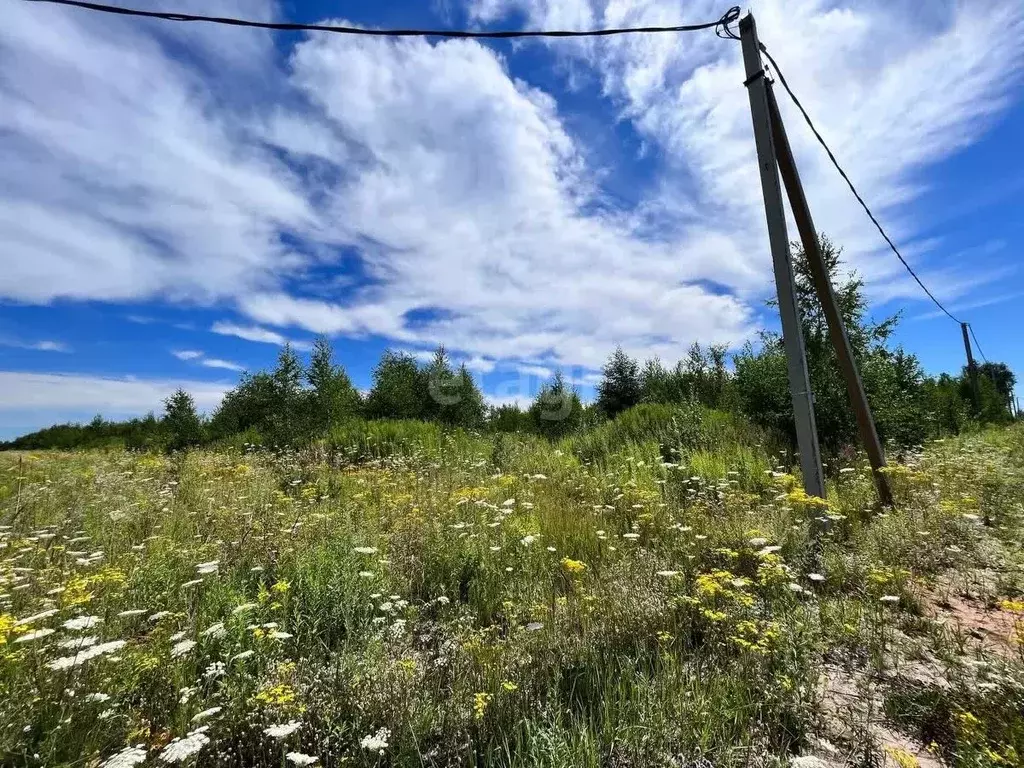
column 827, row 296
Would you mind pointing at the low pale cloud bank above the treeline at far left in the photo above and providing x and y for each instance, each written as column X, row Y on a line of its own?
column 32, row 401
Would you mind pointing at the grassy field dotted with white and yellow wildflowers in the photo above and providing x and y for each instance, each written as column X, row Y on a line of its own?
column 470, row 601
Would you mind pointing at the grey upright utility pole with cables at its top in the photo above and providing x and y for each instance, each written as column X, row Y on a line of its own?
column 793, row 336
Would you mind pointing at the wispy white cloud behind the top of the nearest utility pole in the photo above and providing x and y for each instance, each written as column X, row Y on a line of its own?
column 892, row 89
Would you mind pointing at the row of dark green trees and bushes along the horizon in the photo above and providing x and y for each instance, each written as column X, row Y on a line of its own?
column 297, row 405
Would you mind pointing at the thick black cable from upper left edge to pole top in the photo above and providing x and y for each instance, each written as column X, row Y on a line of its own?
column 721, row 25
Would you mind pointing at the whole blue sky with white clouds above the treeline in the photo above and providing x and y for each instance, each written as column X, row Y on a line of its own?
column 180, row 200
